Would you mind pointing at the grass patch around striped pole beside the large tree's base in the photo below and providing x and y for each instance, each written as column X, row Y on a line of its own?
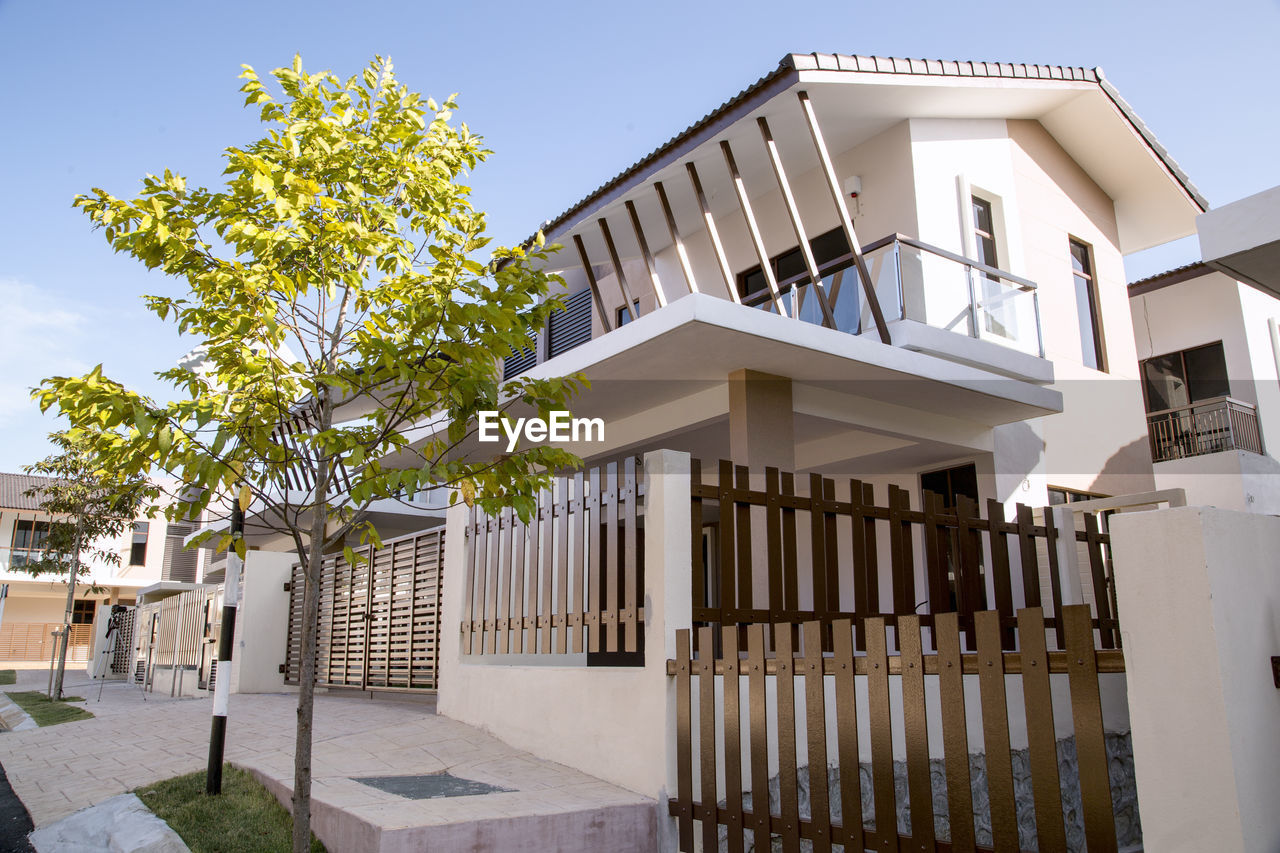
column 244, row 819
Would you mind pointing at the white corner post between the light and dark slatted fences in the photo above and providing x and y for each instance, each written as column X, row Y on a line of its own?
column 669, row 596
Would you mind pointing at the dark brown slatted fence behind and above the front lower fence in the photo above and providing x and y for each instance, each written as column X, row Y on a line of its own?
column 824, row 556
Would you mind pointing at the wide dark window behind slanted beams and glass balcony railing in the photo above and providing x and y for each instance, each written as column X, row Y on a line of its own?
column 834, row 258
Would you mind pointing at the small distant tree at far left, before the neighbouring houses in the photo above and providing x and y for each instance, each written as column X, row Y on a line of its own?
column 89, row 507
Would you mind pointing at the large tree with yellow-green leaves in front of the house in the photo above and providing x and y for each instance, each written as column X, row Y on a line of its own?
column 342, row 290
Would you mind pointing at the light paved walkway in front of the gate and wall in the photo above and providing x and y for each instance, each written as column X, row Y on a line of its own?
column 136, row 740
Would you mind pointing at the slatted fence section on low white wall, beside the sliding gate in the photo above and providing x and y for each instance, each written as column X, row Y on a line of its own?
column 572, row 580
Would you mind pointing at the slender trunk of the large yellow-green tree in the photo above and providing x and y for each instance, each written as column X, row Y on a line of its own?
column 308, row 670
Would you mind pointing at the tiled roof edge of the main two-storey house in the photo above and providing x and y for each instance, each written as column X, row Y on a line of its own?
column 794, row 63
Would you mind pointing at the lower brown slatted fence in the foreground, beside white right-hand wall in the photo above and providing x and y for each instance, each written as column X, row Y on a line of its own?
column 726, row 727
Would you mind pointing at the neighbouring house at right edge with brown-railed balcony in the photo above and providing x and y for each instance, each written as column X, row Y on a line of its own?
column 1210, row 358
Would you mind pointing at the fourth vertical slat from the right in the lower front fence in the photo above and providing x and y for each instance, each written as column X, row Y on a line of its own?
column 956, row 740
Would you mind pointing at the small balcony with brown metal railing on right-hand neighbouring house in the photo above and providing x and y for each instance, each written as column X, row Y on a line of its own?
column 1205, row 427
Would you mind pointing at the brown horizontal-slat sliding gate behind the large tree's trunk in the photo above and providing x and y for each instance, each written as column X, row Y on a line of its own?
column 380, row 622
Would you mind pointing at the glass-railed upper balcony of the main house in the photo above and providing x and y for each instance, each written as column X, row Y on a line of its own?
column 932, row 302
